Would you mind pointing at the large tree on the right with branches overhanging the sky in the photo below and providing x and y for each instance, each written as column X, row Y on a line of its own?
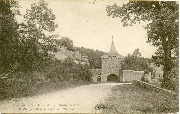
column 162, row 28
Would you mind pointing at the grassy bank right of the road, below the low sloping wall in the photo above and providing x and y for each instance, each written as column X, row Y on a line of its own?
column 132, row 99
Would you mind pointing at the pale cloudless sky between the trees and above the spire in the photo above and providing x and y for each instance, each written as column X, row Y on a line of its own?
column 87, row 24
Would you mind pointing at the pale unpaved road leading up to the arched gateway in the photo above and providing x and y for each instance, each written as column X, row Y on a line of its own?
column 75, row 100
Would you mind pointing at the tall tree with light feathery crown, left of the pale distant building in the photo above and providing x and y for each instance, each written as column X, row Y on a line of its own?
column 35, row 35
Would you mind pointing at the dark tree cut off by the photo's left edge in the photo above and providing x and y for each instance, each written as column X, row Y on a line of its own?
column 9, row 38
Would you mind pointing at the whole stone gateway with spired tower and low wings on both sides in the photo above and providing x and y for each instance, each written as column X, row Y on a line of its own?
column 112, row 70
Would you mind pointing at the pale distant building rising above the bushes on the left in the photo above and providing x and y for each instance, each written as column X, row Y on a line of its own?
column 63, row 54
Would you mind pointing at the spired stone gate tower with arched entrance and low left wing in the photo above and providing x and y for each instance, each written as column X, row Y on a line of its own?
column 111, row 67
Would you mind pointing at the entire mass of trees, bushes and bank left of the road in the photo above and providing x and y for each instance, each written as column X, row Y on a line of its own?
column 26, row 66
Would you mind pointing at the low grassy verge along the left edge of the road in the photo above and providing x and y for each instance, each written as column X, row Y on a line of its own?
column 16, row 89
